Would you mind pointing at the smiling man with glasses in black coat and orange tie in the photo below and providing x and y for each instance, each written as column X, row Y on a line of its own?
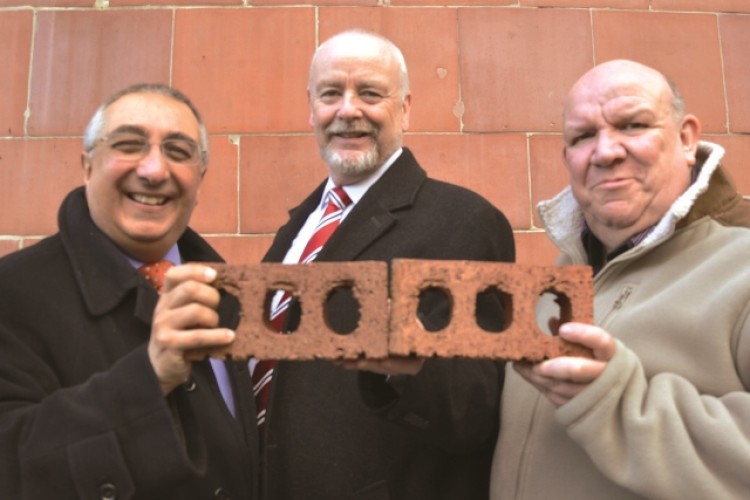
column 99, row 395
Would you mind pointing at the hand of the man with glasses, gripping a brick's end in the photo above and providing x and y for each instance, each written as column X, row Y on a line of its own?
column 185, row 319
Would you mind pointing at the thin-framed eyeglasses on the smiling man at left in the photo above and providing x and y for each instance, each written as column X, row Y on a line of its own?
column 135, row 147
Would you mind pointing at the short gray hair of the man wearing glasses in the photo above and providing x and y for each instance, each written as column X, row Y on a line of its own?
column 95, row 126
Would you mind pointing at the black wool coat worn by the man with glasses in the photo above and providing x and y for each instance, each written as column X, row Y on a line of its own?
column 81, row 412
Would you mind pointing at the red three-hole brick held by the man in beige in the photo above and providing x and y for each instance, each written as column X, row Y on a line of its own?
column 464, row 280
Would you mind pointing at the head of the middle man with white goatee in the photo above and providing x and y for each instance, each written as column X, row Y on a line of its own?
column 357, row 109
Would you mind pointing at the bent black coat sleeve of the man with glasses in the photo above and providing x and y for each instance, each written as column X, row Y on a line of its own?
column 113, row 433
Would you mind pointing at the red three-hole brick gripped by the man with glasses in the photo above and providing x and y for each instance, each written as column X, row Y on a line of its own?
column 311, row 283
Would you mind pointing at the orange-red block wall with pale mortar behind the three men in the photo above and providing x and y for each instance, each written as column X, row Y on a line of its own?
column 488, row 78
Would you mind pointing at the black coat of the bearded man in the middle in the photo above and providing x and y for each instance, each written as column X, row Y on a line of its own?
column 336, row 434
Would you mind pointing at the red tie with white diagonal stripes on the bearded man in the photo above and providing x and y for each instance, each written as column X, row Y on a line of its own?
column 337, row 200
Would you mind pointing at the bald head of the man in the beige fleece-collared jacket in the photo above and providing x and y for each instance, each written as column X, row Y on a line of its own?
column 628, row 156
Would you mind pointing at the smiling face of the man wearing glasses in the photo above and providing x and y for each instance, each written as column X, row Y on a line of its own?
column 143, row 204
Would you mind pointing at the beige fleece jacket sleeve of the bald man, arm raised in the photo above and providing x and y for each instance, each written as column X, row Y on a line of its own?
column 660, row 437
